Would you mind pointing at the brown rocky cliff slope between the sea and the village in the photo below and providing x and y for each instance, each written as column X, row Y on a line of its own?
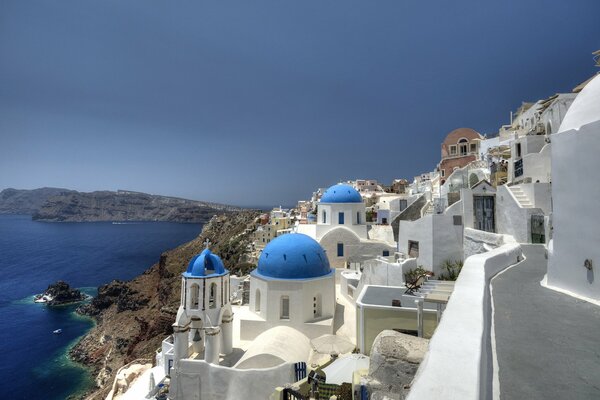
column 134, row 317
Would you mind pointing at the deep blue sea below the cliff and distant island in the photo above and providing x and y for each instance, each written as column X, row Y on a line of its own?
column 34, row 362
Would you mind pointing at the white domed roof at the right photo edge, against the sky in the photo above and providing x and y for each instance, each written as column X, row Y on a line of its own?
column 585, row 108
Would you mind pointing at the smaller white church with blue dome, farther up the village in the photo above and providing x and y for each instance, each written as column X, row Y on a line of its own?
column 342, row 229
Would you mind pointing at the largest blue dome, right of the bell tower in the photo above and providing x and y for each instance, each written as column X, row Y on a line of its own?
column 293, row 256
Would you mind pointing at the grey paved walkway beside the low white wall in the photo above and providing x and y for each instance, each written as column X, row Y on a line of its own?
column 548, row 344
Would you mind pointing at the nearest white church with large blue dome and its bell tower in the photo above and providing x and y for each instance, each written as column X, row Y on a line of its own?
column 292, row 300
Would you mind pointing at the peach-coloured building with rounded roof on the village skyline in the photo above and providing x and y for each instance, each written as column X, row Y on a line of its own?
column 460, row 147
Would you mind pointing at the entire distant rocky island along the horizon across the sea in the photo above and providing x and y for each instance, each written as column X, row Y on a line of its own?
column 64, row 205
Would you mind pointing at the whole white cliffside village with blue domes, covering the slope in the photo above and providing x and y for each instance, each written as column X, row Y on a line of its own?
column 471, row 281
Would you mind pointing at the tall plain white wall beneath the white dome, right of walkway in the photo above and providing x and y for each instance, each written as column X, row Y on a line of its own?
column 576, row 214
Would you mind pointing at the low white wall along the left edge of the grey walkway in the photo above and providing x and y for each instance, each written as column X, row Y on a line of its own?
column 458, row 364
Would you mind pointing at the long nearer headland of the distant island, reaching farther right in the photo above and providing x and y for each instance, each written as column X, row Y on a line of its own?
column 123, row 206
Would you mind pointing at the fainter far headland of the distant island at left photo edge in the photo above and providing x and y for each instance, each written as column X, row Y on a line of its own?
column 16, row 201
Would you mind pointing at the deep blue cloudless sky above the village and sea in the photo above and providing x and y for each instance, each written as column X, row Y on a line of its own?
column 260, row 102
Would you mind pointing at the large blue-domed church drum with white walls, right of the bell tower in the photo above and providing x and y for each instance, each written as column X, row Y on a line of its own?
column 293, row 285
